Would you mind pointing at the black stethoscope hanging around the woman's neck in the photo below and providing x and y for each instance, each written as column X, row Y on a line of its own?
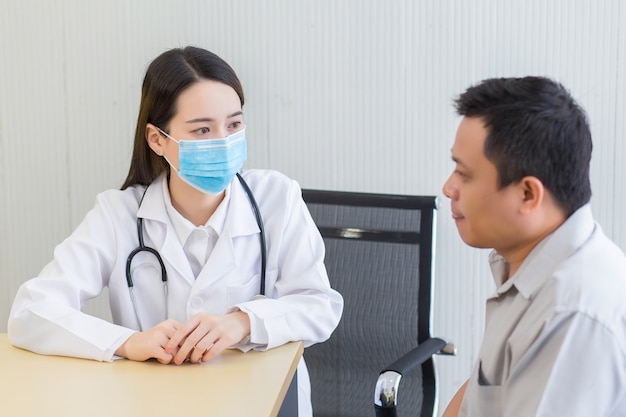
column 143, row 248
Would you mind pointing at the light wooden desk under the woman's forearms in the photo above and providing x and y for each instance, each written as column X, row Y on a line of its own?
column 234, row 384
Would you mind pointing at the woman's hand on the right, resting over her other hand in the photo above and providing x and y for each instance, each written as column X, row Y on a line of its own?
column 205, row 336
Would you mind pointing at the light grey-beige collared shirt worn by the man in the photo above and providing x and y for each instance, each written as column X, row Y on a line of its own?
column 555, row 335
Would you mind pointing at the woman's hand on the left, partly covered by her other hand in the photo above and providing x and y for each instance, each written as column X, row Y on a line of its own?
column 151, row 343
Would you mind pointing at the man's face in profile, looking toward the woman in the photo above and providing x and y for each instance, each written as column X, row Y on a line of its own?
column 485, row 216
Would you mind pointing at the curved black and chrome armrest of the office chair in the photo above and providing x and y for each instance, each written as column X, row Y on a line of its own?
column 386, row 392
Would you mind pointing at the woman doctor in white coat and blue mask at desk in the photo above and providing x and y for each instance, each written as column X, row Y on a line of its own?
column 196, row 215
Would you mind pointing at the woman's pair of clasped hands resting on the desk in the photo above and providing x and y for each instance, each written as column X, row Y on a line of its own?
column 199, row 339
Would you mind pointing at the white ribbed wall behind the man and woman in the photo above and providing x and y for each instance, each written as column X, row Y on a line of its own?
column 347, row 95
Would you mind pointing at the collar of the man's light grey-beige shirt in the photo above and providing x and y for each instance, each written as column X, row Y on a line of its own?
column 543, row 259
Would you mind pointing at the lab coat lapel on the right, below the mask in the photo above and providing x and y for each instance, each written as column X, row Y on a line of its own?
column 240, row 221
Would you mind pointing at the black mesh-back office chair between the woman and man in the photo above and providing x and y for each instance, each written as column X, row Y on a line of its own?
column 379, row 256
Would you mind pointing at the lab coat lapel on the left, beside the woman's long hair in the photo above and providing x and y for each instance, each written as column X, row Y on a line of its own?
column 158, row 232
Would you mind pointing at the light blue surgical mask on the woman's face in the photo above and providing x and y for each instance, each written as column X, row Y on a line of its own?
column 210, row 164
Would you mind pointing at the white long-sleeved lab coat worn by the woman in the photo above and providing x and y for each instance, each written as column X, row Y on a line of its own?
column 46, row 315
